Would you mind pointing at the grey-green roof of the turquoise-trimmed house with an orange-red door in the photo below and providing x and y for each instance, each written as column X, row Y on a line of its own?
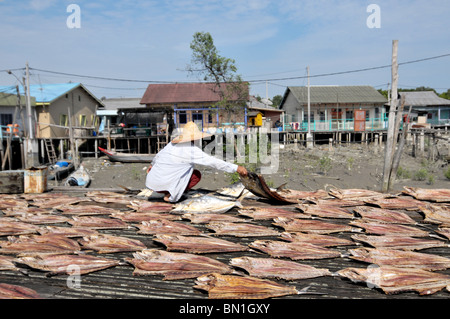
column 337, row 94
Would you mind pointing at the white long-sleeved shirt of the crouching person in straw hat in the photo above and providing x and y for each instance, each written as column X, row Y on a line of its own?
column 172, row 168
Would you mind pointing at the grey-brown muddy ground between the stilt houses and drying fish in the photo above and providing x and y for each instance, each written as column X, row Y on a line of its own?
column 345, row 166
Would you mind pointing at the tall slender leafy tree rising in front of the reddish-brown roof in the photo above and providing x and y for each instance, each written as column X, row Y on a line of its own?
column 207, row 63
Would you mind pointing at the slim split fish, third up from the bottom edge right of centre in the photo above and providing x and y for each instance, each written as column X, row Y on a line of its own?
column 293, row 250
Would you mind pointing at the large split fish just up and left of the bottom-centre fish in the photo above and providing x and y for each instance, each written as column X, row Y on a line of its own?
column 174, row 266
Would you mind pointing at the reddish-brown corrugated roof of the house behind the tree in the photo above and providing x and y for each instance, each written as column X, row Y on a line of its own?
column 181, row 93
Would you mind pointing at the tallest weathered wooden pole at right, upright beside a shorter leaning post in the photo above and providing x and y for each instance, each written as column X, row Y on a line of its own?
column 391, row 122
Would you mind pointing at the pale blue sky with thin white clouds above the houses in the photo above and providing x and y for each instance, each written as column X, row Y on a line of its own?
column 117, row 48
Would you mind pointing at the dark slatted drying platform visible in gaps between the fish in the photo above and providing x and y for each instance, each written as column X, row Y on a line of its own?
column 119, row 282
